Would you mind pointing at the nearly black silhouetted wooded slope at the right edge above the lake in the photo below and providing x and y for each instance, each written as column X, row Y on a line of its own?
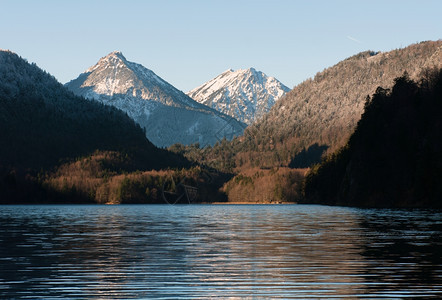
column 393, row 159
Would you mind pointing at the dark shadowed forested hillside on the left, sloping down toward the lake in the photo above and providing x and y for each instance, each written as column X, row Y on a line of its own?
column 43, row 124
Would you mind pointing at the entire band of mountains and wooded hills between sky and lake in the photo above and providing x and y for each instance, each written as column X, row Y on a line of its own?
column 118, row 133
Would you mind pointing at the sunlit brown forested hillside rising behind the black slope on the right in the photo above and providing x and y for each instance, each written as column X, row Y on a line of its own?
column 326, row 109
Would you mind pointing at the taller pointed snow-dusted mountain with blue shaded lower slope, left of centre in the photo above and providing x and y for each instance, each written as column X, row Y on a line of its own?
column 168, row 115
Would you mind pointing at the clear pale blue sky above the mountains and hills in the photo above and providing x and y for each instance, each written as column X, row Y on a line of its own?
column 190, row 42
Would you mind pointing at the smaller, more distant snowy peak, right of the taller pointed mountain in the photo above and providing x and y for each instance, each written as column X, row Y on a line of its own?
column 245, row 95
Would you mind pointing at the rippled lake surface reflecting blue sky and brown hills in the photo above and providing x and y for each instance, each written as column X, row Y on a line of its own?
column 197, row 251
